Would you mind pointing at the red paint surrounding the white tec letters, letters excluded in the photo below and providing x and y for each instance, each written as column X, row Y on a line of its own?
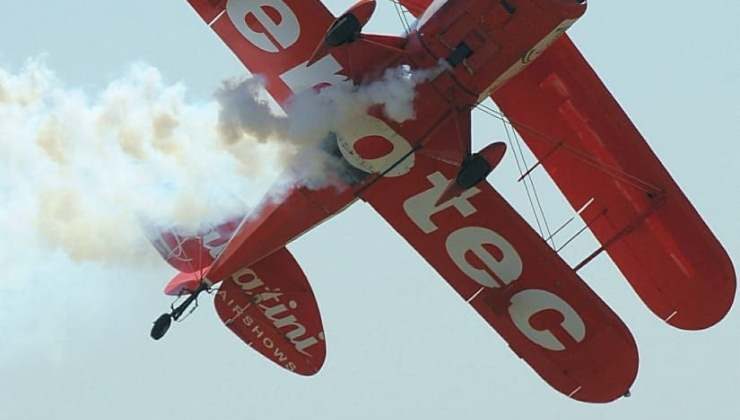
column 601, row 367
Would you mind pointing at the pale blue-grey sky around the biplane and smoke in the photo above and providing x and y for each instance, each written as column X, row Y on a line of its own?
column 401, row 344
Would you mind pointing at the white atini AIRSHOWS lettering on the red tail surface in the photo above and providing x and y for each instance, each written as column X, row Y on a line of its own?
column 263, row 310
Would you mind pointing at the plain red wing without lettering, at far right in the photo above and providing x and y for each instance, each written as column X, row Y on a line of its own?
column 593, row 151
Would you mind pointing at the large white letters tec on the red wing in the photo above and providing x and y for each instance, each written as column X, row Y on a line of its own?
column 502, row 269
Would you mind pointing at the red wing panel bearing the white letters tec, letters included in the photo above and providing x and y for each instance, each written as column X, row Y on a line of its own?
column 499, row 265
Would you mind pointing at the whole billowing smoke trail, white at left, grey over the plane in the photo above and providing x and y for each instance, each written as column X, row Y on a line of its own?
column 79, row 172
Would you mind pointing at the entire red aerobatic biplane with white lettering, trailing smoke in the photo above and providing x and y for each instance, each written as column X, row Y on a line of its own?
column 424, row 179
